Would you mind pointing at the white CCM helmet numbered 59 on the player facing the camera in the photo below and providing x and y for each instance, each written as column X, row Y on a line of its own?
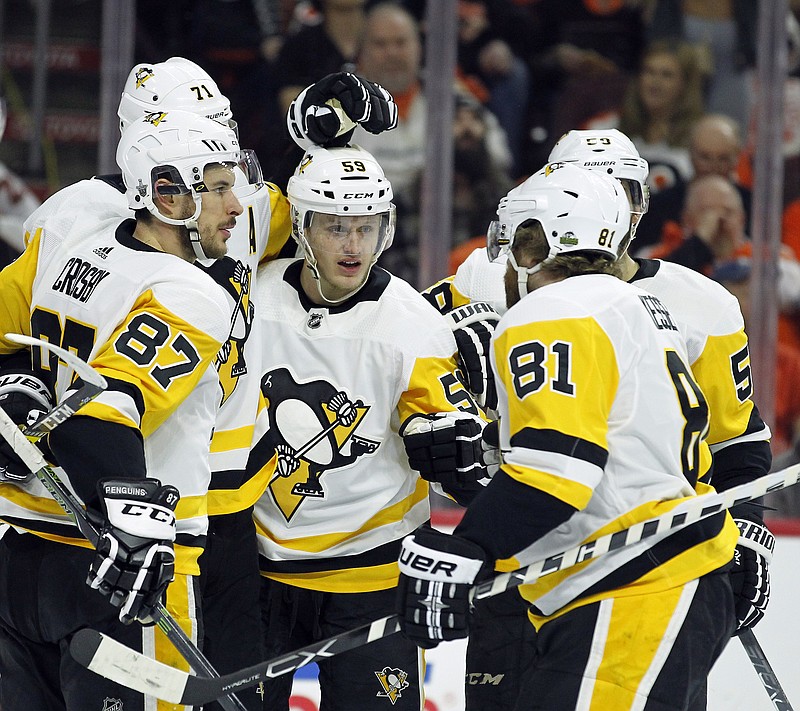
column 345, row 181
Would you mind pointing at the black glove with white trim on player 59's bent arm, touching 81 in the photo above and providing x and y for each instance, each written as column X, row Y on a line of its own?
column 445, row 447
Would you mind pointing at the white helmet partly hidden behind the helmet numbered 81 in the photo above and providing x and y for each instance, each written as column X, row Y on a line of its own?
column 609, row 152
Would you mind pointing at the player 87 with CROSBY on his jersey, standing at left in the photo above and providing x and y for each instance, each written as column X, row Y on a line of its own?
column 125, row 296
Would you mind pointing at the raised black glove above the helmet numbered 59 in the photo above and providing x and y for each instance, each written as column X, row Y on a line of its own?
column 326, row 113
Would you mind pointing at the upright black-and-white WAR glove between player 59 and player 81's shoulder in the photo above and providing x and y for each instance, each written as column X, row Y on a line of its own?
column 473, row 325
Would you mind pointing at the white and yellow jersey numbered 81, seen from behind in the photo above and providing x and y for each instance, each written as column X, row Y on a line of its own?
column 600, row 410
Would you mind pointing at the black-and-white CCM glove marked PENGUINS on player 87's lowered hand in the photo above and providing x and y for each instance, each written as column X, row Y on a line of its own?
column 135, row 560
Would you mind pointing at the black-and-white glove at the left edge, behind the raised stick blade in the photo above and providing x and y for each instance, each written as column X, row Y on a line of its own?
column 25, row 399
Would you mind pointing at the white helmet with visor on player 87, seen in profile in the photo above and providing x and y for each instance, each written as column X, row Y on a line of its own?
column 179, row 146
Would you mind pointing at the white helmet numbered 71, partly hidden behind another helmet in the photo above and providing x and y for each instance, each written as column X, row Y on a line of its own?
column 177, row 84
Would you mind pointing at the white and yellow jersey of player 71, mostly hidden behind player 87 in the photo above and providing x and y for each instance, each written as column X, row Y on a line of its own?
column 261, row 233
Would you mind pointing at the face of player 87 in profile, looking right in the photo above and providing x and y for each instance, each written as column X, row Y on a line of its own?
column 220, row 208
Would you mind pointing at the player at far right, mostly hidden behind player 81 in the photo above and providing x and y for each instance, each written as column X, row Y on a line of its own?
column 719, row 358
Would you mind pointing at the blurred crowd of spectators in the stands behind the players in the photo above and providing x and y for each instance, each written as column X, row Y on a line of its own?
column 677, row 76
